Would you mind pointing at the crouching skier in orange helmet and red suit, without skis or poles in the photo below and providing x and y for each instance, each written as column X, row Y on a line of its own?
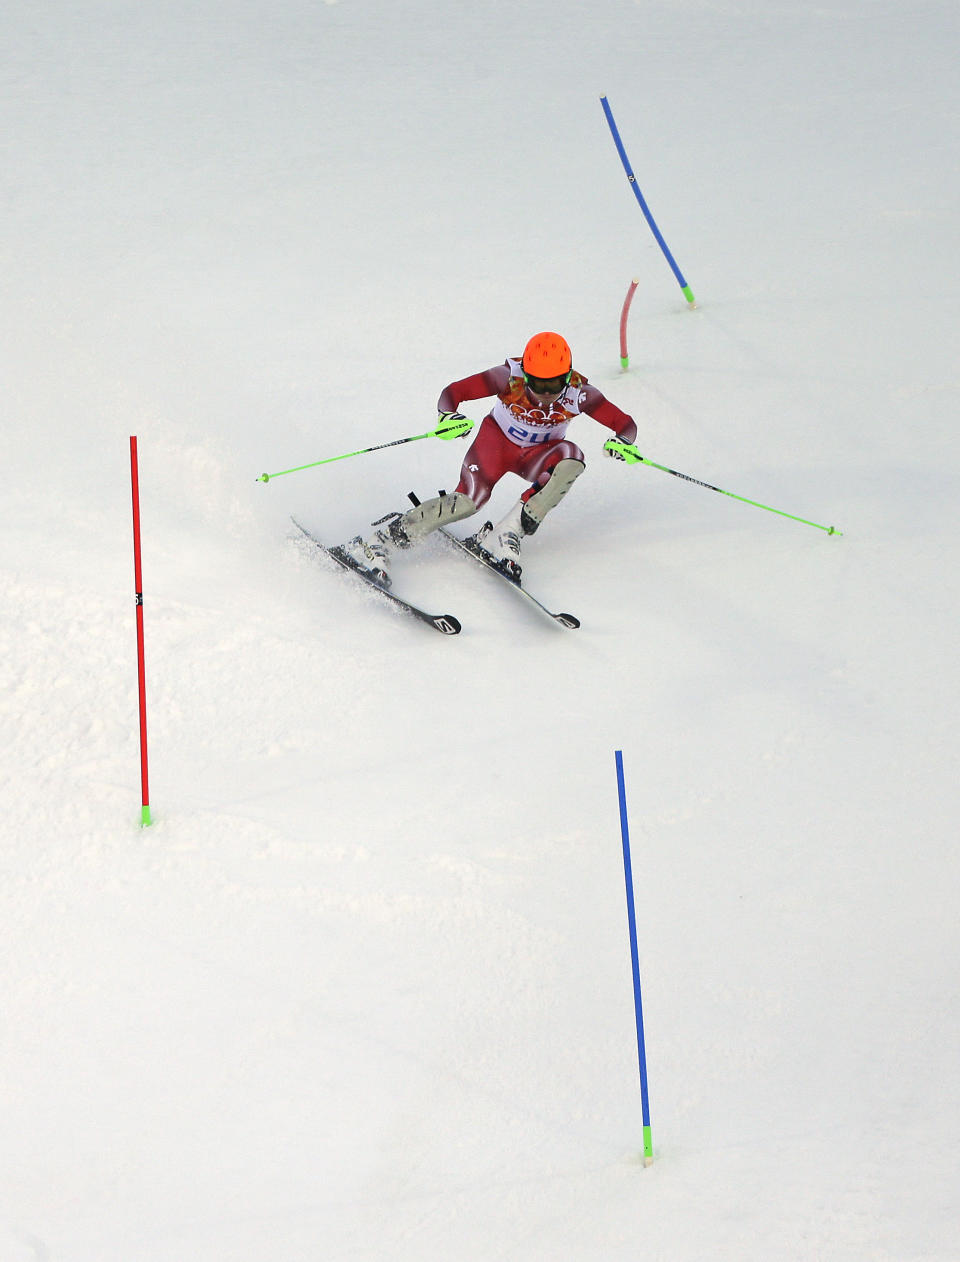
column 538, row 396
